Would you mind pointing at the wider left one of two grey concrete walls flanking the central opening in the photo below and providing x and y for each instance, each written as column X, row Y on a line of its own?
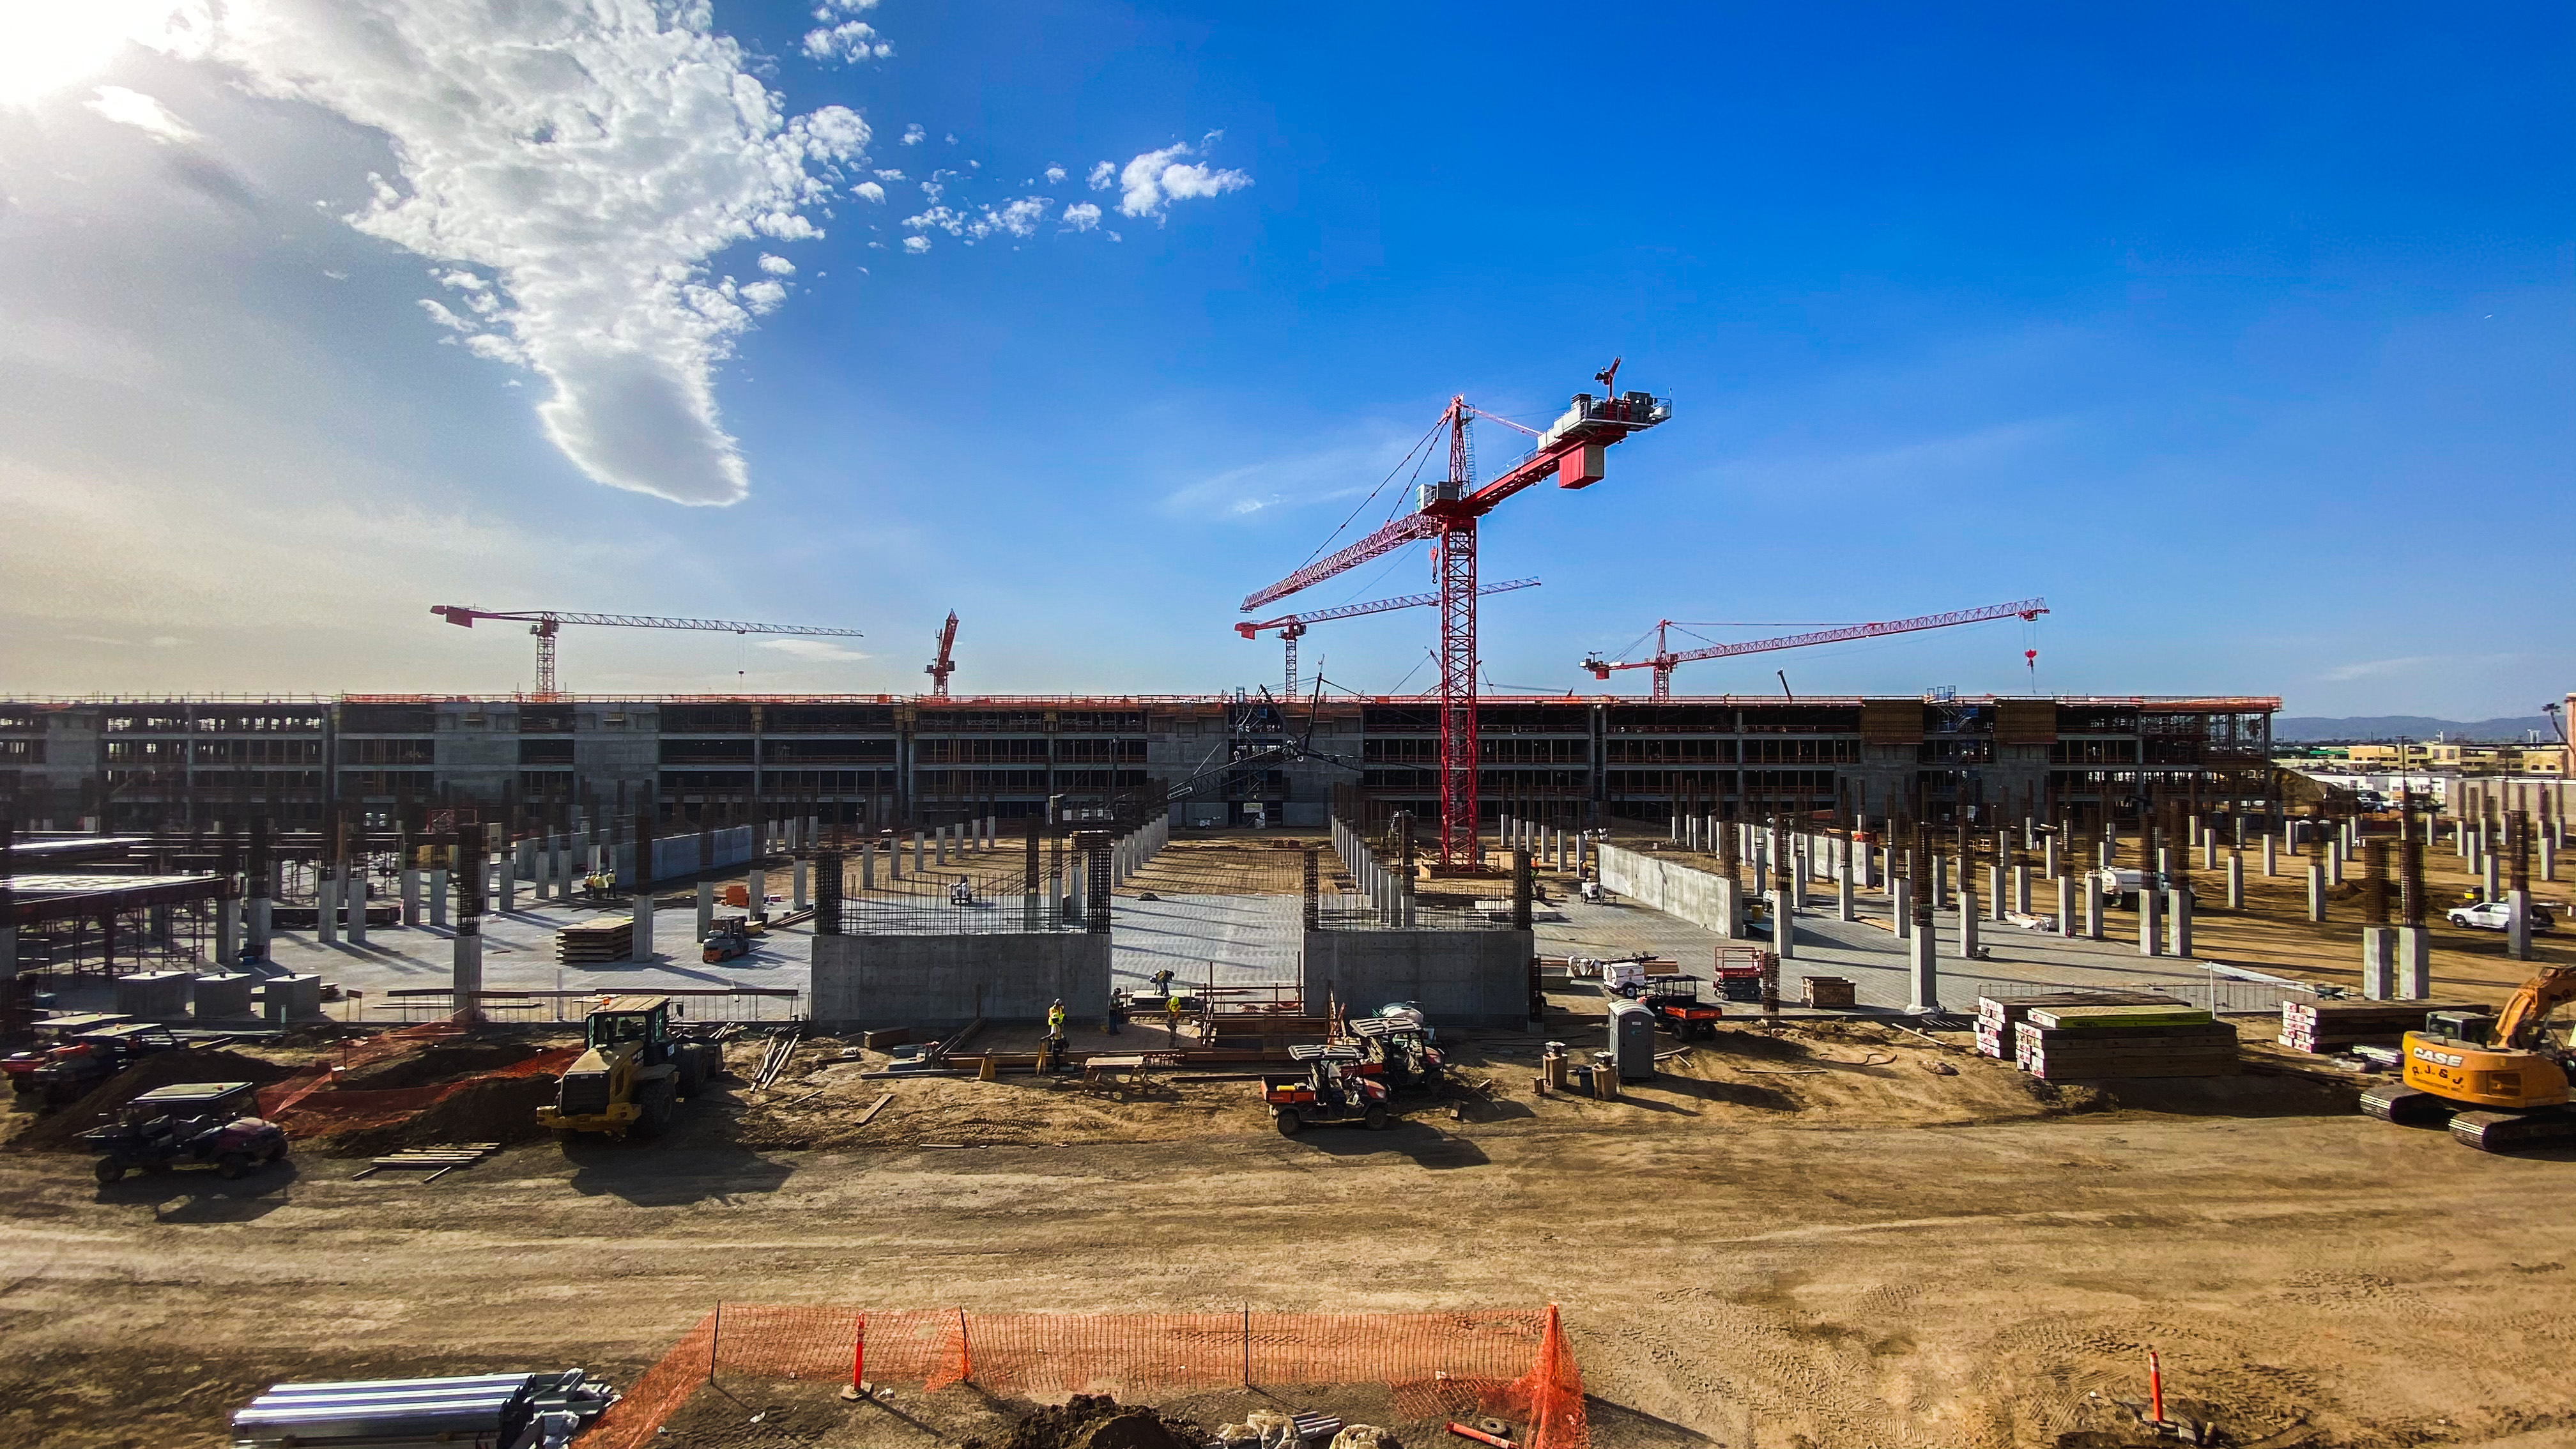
column 921, row 981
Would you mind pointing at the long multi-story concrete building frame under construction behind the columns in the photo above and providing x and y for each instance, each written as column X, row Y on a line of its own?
column 926, row 762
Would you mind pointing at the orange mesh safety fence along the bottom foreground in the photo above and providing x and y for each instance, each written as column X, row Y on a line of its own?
column 1513, row 1363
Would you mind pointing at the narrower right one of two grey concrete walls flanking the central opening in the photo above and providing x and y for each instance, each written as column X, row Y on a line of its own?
column 1462, row 978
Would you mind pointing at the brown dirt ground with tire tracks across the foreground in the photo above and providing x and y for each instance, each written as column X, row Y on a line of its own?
column 1807, row 1239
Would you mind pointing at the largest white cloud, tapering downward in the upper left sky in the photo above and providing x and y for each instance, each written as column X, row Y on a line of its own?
column 591, row 159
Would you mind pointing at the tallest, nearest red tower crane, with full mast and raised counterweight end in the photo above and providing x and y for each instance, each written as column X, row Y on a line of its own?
column 1446, row 514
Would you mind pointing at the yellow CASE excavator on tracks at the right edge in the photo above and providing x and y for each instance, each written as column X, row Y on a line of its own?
column 2497, row 1082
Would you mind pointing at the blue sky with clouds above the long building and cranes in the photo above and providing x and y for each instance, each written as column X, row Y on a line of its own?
column 2242, row 336
